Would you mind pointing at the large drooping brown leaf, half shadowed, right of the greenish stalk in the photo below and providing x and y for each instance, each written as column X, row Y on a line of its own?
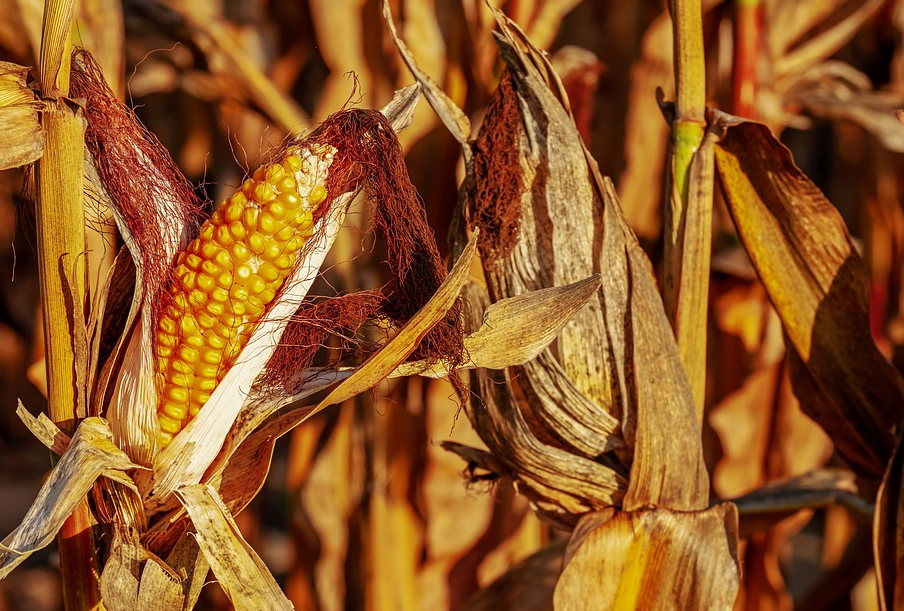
column 819, row 287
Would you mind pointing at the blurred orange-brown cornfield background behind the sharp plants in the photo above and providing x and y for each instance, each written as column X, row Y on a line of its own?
column 363, row 508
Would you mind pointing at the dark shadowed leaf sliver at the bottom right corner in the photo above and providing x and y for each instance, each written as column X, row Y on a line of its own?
column 888, row 534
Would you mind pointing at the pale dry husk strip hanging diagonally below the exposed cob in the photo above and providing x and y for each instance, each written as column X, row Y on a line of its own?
column 238, row 569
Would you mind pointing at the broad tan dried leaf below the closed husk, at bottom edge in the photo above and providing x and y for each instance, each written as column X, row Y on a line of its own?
column 650, row 559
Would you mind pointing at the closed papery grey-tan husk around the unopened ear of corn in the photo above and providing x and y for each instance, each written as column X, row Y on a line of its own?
column 631, row 343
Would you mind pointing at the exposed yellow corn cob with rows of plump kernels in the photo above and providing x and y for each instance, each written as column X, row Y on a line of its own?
column 228, row 275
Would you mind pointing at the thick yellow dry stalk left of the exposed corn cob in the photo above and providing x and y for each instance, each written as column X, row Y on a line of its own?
column 61, row 244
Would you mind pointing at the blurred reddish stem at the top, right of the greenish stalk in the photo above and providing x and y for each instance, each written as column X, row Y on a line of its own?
column 746, row 53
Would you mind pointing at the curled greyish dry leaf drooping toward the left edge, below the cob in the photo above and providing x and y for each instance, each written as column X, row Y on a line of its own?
column 90, row 454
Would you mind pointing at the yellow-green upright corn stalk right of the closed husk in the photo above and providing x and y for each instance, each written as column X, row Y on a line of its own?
column 688, row 215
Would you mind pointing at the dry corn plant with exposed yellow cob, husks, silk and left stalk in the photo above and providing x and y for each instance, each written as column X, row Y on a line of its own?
column 169, row 387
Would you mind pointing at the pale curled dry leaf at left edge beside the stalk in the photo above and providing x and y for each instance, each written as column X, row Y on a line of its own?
column 23, row 140
